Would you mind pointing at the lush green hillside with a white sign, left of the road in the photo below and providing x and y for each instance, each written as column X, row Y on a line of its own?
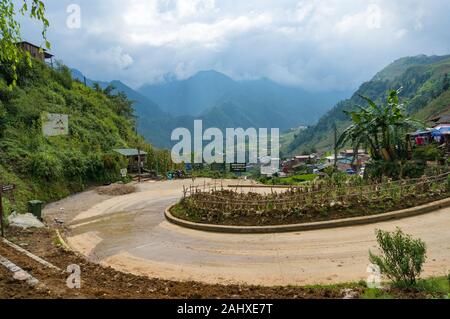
column 54, row 167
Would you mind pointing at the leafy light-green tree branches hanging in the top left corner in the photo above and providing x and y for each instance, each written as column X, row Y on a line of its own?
column 10, row 53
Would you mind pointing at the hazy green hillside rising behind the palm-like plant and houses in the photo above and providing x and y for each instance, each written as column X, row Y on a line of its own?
column 425, row 92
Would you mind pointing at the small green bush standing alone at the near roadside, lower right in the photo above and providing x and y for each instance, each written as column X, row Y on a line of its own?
column 402, row 257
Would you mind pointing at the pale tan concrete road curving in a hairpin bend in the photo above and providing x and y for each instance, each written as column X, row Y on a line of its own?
column 130, row 233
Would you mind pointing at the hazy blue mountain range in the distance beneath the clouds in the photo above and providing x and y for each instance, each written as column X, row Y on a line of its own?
column 220, row 102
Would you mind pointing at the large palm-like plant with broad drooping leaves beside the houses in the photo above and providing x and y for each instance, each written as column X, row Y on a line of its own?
column 381, row 128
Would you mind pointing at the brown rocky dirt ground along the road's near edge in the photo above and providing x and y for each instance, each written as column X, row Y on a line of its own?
column 101, row 282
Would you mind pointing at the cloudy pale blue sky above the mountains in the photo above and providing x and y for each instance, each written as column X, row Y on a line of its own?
column 315, row 44
